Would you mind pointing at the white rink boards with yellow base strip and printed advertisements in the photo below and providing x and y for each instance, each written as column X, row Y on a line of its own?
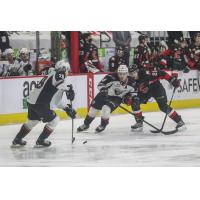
column 14, row 93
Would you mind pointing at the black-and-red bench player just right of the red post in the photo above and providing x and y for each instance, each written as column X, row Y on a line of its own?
column 91, row 59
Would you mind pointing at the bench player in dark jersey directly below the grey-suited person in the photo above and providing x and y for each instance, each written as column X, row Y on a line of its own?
column 116, row 60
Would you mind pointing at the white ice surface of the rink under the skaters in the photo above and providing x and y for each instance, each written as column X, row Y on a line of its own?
column 117, row 146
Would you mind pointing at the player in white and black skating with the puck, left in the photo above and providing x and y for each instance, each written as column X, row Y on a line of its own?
column 47, row 93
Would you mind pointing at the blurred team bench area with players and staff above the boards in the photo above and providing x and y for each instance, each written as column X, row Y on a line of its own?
column 97, row 51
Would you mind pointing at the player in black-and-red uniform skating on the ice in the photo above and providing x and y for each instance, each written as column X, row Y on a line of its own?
column 149, row 86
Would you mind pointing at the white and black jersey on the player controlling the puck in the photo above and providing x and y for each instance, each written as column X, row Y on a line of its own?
column 49, row 90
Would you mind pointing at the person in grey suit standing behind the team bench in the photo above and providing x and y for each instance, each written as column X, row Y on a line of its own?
column 123, row 39
